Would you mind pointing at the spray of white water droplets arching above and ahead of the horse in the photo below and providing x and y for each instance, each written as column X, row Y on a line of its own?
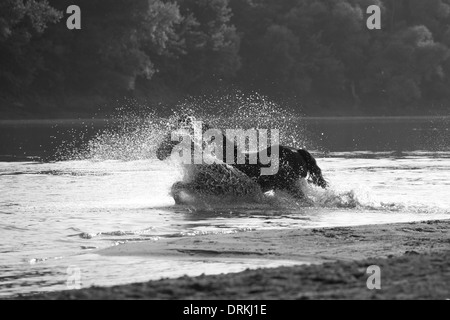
column 135, row 131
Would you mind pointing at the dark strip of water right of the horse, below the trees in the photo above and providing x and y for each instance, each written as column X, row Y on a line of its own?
column 380, row 134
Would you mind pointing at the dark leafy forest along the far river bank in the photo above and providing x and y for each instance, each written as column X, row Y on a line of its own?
column 315, row 56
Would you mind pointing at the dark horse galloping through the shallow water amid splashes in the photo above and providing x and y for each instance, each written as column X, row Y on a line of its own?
column 294, row 164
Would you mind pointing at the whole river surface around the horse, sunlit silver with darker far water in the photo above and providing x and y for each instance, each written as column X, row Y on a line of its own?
column 54, row 214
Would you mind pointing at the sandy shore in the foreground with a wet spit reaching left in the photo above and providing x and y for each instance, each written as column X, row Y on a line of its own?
column 414, row 259
